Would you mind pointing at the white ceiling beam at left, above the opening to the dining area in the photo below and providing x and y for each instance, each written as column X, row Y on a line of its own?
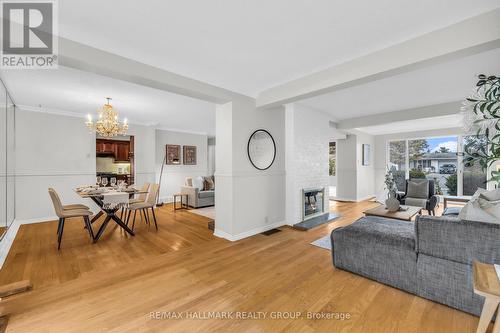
column 86, row 58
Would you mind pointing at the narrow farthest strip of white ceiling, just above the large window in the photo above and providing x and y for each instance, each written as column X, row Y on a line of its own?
column 423, row 124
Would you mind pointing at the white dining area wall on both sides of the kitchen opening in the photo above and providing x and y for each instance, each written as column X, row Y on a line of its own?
column 58, row 151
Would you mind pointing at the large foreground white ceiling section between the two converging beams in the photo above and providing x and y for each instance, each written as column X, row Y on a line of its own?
column 249, row 46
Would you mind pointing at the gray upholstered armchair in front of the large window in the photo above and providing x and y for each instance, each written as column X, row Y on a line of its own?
column 420, row 193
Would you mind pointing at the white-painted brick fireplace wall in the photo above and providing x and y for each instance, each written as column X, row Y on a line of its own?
column 307, row 140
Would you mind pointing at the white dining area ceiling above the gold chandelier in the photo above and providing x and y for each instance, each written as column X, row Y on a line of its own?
column 72, row 91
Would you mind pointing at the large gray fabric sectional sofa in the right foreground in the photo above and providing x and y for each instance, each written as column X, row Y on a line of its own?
column 431, row 257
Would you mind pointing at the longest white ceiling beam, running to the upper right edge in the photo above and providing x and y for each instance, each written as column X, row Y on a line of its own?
column 471, row 36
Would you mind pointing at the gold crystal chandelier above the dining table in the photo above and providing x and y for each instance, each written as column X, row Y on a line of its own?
column 107, row 125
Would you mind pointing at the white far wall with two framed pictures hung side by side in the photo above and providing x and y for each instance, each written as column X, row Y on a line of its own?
column 174, row 175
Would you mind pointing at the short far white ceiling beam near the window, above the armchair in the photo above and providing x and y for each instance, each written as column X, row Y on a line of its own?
column 429, row 111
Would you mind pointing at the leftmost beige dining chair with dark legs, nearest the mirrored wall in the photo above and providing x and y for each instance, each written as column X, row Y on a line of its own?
column 64, row 211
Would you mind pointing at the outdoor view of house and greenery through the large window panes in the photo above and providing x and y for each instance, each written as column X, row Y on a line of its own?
column 437, row 159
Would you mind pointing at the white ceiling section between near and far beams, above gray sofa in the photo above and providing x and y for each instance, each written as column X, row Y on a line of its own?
column 447, row 82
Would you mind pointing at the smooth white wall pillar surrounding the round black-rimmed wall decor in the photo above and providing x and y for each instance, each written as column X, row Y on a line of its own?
column 248, row 201
